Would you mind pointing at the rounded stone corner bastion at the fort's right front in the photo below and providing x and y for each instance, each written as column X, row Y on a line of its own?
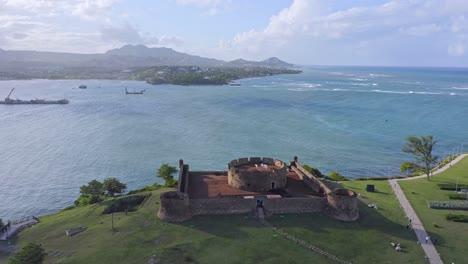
column 342, row 205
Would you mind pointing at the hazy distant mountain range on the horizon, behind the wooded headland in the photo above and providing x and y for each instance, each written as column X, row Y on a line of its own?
column 126, row 57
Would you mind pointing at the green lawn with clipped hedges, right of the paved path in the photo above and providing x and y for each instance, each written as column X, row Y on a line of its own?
column 452, row 237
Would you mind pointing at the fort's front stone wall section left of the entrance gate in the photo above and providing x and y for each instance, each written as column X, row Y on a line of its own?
column 222, row 206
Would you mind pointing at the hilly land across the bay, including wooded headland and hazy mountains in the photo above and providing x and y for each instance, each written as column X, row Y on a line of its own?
column 136, row 62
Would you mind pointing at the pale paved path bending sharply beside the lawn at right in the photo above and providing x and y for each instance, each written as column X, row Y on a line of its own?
column 429, row 249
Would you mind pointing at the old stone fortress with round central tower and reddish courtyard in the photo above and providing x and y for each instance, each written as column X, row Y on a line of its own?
column 251, row 185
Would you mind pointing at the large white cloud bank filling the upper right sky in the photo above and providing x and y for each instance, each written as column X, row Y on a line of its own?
column 314, row 21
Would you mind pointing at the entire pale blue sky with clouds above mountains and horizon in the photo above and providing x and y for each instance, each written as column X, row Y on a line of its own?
column 312, row 32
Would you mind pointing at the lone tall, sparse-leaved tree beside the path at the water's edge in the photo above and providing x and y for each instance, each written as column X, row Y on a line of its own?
column 421, row 149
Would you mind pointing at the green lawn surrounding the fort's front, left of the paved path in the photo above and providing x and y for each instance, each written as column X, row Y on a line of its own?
column 228, row 239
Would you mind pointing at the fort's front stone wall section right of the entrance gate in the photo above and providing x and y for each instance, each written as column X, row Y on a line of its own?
column 294, row 205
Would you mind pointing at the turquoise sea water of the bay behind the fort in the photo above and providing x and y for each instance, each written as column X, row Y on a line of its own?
column 353, row 120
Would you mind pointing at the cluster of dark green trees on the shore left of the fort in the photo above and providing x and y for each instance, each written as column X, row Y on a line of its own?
column 94, row 190
